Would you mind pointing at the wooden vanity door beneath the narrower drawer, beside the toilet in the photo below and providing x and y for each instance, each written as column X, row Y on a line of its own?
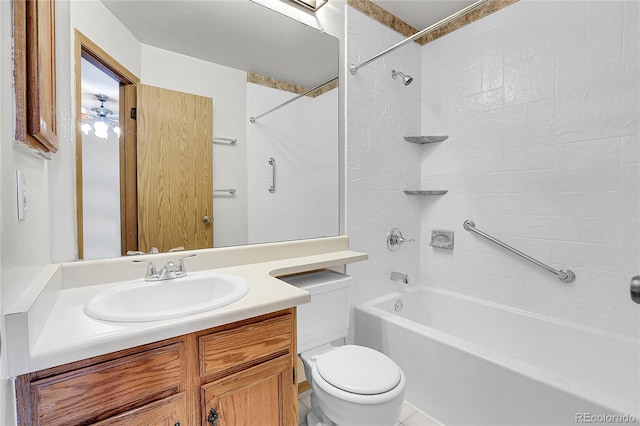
column 263, row 395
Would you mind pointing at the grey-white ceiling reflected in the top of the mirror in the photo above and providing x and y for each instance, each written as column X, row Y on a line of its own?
column 240, row 34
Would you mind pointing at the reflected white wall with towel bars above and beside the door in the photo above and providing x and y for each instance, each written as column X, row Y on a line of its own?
column 227, row 87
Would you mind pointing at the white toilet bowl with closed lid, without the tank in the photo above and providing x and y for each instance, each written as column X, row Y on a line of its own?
column 353, row 386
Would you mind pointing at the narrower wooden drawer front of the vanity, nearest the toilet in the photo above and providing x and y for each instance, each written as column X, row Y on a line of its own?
column 245, row 344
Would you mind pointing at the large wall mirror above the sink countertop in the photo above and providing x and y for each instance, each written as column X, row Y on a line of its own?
column 203, row 68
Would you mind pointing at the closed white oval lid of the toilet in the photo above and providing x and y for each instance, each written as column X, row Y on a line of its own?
column 360, row 370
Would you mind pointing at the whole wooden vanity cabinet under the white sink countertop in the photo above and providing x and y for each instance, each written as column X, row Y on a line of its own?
column 241, row 374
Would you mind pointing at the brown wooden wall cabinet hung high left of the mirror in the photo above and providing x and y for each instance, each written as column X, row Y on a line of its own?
column 35, row 73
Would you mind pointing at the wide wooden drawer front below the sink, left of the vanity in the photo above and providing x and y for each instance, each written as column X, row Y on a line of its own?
column 94, row 393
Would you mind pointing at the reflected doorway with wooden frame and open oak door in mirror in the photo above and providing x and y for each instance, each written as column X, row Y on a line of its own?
column 143, row 182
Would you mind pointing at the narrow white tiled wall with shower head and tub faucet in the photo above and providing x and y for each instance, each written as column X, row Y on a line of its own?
column 380, row 164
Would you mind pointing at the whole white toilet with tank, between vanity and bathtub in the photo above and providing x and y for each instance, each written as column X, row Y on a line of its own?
column 352, row 385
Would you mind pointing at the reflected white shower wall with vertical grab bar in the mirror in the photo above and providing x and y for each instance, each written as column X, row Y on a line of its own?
column 302, row 138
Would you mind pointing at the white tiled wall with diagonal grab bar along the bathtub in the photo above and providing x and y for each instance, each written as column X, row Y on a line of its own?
column 541, row 102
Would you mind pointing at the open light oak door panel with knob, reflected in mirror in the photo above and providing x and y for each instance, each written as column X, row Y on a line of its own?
column 175, row 168
